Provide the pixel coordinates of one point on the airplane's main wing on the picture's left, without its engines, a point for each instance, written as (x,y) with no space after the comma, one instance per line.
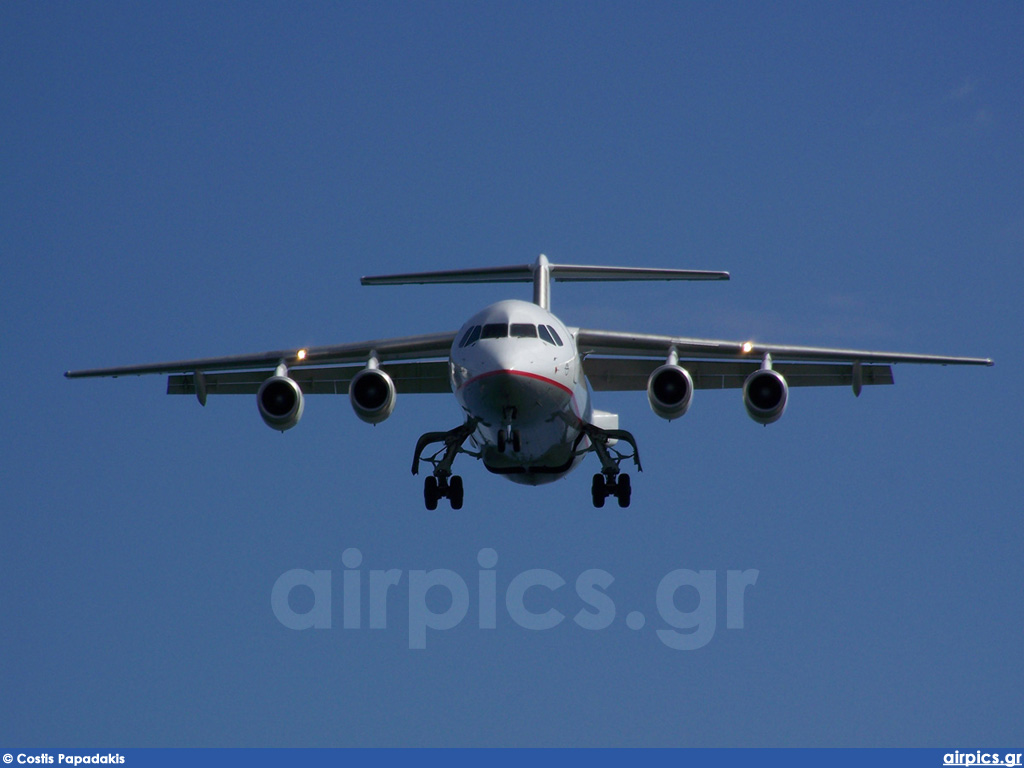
(317,370)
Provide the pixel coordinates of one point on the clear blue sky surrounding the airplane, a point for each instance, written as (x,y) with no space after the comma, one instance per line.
(190,180)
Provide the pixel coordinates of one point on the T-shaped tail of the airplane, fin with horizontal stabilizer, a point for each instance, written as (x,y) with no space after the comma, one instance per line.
(541,273)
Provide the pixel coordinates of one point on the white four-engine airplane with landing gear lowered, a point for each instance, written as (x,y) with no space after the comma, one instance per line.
(525,380)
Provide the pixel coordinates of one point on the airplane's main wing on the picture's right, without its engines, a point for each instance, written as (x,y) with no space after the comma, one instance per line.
(719,365)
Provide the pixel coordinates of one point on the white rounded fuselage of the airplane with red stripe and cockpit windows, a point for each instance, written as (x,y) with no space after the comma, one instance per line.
(516,368)
